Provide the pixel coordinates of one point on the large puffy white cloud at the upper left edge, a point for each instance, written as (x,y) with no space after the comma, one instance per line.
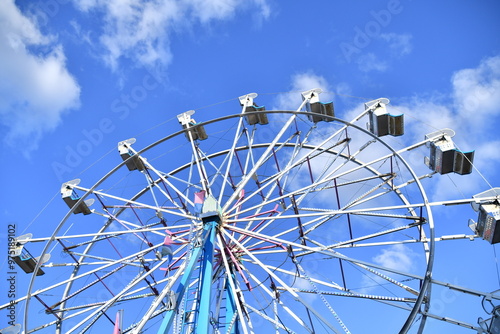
(36,89)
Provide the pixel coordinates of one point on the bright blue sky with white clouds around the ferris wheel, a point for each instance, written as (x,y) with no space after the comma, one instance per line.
(77,77)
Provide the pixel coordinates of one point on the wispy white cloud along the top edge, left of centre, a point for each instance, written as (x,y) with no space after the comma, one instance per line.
(141,31)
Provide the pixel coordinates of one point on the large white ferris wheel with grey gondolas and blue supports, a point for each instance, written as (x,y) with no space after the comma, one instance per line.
(259,221)
